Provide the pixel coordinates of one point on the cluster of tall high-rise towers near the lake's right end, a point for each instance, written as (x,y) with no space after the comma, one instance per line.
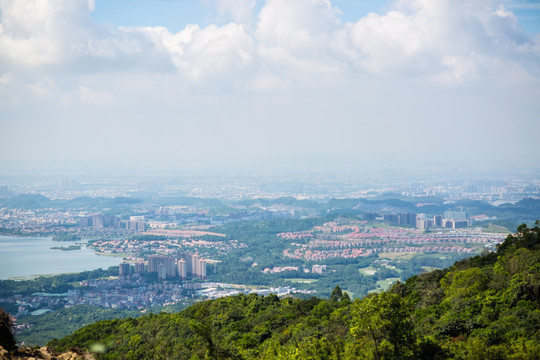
(168,267)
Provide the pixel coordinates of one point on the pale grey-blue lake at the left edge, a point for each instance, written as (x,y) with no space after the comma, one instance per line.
(30,256)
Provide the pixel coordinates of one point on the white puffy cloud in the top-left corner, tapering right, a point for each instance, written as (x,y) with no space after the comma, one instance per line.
(37,33)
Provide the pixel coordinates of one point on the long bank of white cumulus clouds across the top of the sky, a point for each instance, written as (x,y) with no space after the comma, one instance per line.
(415,37)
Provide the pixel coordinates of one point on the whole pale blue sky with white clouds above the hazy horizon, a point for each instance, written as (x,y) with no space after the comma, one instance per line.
(298,83)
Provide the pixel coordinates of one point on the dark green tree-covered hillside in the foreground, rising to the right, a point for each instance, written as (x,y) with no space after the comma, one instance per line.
(486,307)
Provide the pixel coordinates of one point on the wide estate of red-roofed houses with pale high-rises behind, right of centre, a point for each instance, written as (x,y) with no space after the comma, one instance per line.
(351,240)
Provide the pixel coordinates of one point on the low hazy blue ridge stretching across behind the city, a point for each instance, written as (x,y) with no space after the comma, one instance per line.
(521,211)
